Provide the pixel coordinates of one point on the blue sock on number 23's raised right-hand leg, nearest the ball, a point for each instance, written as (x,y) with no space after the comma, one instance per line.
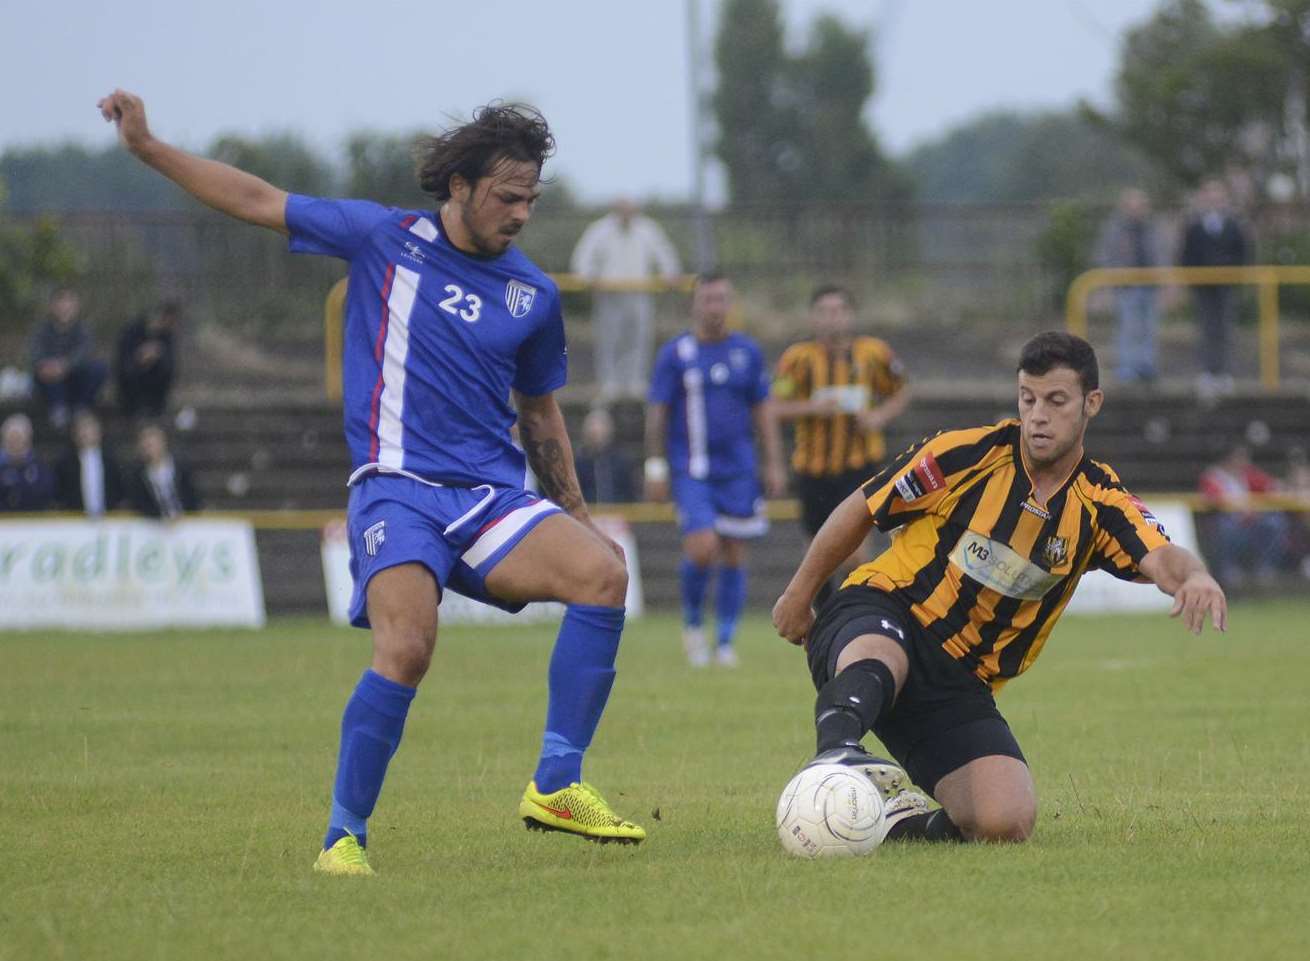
(582,672)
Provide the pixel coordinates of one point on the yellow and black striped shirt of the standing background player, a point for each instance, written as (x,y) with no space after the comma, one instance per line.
(861,376)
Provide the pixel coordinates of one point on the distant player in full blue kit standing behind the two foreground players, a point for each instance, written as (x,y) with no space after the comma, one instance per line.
(709,397)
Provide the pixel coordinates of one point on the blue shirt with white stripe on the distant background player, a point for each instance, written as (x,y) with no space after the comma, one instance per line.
(711,391)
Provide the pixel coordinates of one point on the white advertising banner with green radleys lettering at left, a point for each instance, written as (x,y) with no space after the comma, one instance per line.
(116,575)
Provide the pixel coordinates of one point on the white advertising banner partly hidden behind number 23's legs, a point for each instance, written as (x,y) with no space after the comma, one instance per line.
(458,609)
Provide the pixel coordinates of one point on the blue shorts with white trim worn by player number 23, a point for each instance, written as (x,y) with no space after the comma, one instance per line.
(458,534)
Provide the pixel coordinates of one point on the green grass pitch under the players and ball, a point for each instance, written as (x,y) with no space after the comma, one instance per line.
(163,797)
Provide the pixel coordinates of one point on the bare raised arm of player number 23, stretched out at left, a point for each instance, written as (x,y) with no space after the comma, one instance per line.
(221,187)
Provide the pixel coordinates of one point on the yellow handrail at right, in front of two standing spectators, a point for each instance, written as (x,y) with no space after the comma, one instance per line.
(1267,278)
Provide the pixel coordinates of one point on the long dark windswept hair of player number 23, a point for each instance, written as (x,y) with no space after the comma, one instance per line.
(497,133)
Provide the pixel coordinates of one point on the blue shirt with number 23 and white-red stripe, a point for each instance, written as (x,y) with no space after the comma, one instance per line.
(436,340)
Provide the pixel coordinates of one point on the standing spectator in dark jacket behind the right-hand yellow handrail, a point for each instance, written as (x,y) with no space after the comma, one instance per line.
(1215,239)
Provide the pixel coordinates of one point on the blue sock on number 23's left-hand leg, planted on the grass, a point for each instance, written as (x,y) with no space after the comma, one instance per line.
(371,731)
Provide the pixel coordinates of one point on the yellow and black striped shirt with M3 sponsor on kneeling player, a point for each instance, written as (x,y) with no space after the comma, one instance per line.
(984,568)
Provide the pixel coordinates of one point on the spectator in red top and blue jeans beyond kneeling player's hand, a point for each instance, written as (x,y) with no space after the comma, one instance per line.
(1245,539)
